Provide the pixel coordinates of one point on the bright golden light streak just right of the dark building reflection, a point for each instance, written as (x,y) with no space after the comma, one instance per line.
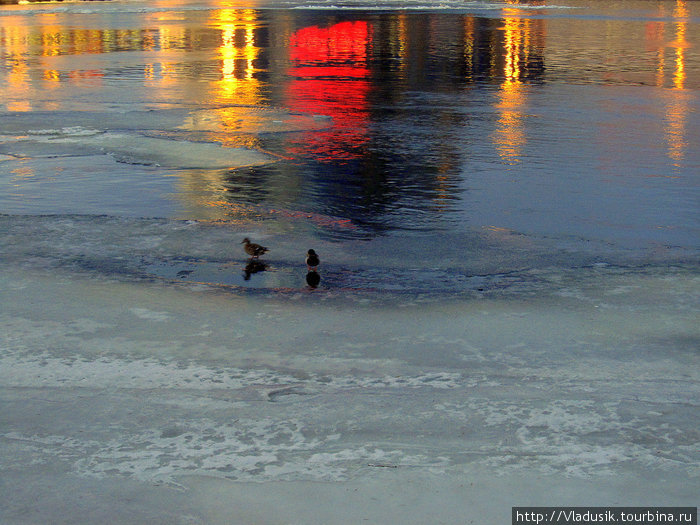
(510,136)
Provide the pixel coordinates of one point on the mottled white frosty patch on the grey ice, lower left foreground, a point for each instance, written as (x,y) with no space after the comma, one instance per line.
(248,449)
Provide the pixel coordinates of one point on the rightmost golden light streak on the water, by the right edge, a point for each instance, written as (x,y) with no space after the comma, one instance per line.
(677,109)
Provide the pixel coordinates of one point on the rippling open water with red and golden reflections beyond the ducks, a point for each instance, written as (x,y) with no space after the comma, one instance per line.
(458,127)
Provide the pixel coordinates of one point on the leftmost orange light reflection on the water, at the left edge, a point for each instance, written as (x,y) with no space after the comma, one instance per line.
(15,39)
